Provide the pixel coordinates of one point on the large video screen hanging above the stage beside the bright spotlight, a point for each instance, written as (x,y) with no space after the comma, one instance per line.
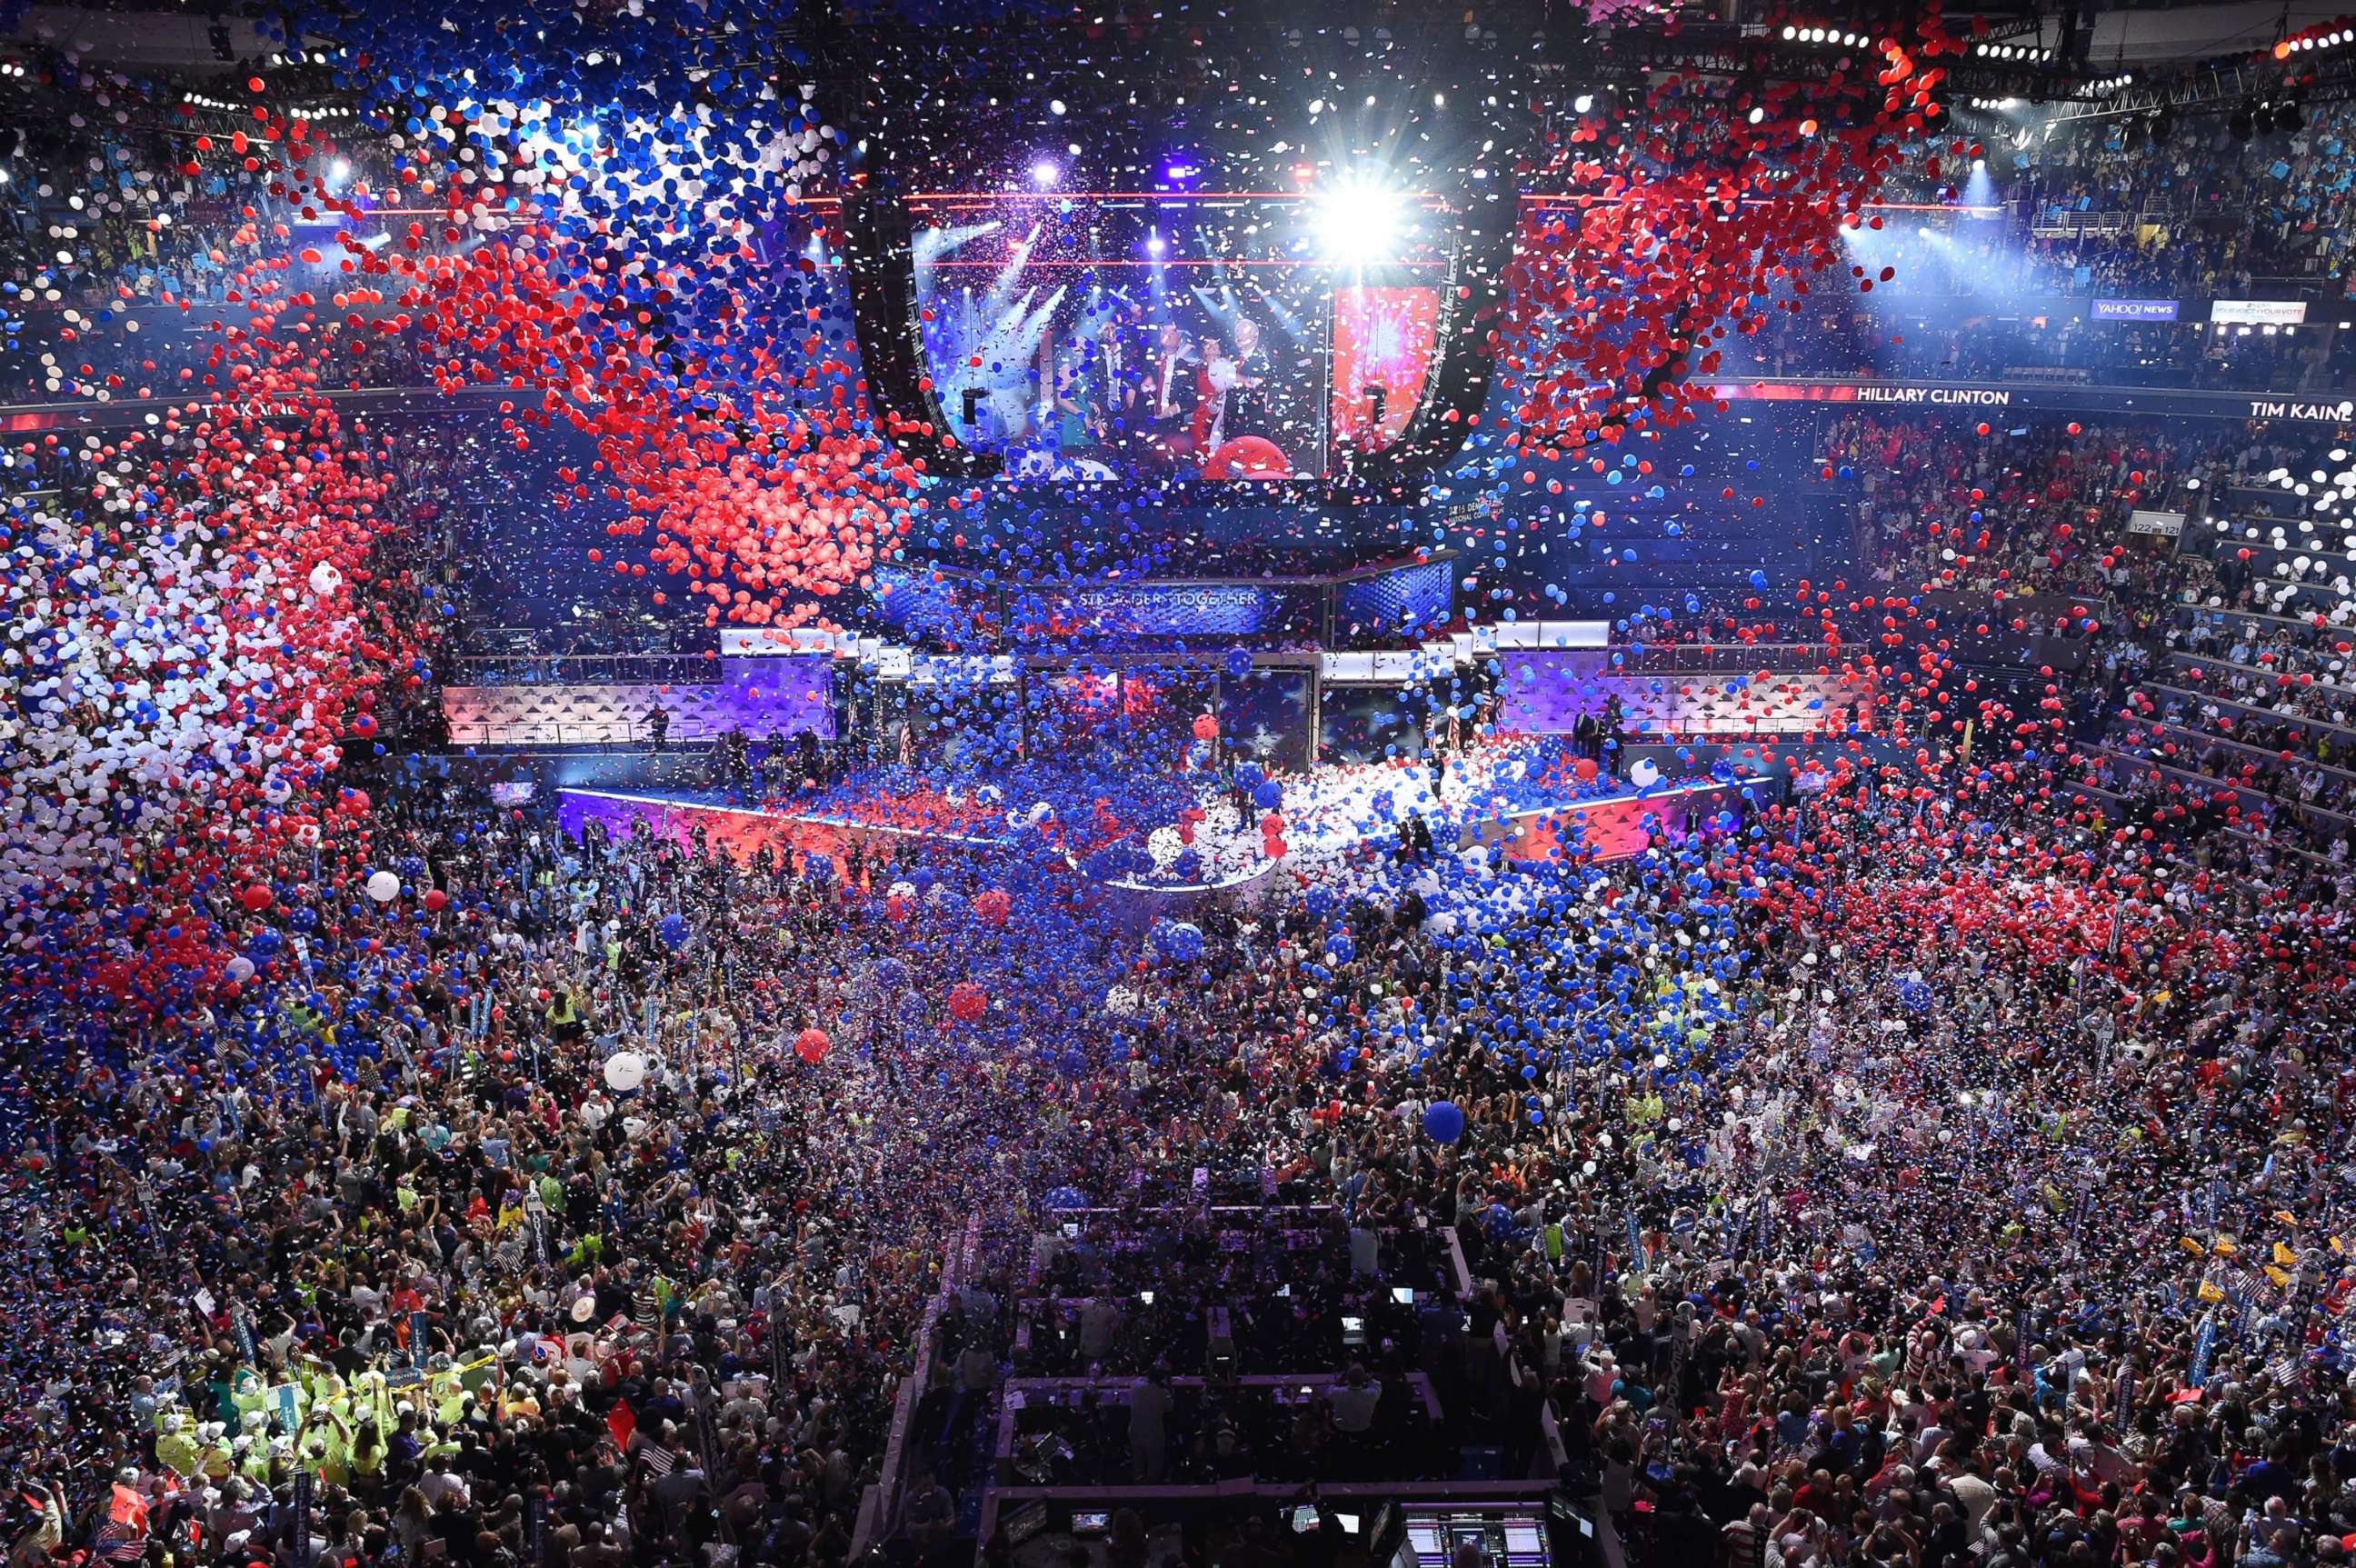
(1099,338)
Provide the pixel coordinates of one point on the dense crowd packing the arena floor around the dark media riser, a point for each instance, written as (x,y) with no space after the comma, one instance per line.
(1943,1190)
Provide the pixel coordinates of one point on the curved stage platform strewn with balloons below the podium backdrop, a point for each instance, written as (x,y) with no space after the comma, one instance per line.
(1328,813)
